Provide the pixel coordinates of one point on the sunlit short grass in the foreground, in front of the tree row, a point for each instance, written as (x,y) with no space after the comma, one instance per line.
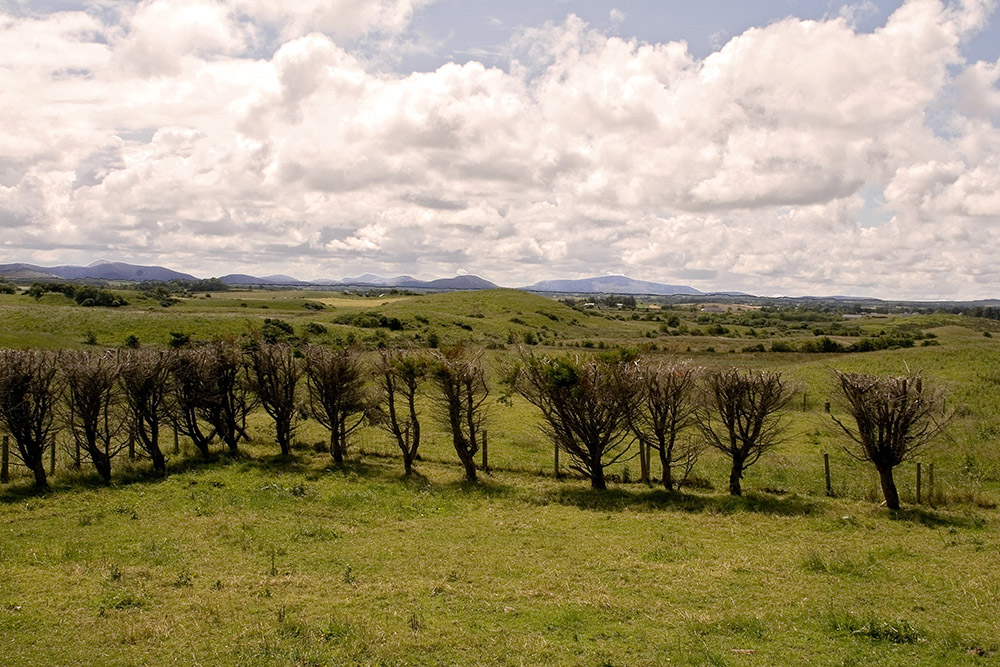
(255,561)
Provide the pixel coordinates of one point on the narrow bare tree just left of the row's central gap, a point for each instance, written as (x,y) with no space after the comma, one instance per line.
(460,378)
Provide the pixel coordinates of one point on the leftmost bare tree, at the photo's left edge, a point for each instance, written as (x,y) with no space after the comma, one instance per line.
(29,394)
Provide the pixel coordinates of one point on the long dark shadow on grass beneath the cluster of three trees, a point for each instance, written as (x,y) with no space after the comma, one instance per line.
(616,500)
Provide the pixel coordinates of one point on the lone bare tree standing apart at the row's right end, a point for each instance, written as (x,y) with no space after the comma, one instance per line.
(894,417)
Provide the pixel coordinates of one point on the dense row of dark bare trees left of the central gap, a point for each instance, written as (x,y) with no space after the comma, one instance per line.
(125,398)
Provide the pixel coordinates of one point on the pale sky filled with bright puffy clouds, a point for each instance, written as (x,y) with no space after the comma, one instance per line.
(772,147)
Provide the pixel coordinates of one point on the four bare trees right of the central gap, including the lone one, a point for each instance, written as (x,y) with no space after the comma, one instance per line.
(593,408)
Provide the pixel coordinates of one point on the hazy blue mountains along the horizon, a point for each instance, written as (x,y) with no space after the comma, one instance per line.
(105,270)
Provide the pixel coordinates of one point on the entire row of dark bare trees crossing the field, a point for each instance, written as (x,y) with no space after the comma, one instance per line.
(593,408)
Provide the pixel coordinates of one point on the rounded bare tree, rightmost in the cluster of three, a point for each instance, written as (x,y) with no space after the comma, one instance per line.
(741,417)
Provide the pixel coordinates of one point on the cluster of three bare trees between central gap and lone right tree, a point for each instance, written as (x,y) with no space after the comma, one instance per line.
(595,408)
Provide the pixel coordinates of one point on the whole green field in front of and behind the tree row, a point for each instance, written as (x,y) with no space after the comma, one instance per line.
(258,560)
